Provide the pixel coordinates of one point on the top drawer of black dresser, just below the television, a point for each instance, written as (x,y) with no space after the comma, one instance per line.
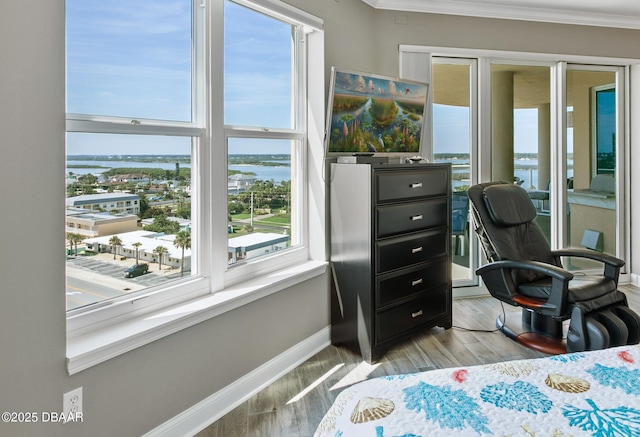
(408,184)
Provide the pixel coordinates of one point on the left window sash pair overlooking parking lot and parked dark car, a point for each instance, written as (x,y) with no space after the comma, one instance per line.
(131,138)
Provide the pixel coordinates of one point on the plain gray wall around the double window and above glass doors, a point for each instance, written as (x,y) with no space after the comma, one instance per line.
(137,391)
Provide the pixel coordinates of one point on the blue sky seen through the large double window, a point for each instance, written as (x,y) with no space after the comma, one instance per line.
(132,58)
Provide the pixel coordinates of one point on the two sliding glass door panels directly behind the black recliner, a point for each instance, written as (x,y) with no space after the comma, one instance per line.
(578,200)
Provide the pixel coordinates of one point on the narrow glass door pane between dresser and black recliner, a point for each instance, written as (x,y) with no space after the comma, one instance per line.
(453,136)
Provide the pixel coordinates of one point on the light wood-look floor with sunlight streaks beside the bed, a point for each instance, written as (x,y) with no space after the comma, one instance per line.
(295,404)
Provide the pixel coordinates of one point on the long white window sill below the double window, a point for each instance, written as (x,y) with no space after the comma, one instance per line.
(101,345)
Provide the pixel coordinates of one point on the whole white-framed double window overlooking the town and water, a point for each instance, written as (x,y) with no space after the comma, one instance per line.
(144,147)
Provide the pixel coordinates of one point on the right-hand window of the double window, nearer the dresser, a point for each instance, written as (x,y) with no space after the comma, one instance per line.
(264,132)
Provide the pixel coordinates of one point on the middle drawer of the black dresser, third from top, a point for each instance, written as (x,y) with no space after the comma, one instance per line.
(405,251)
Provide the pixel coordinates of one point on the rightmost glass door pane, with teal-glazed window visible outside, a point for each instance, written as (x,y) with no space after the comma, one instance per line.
(592,143)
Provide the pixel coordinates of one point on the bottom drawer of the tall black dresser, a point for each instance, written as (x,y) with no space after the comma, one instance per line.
(411,314)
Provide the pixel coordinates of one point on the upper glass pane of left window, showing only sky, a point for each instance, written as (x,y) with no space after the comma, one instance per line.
(129,58)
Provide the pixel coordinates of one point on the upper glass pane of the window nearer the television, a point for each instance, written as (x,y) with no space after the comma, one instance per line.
(258,59)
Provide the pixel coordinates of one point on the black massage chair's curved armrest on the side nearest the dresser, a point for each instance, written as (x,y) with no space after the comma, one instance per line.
(501,286)
